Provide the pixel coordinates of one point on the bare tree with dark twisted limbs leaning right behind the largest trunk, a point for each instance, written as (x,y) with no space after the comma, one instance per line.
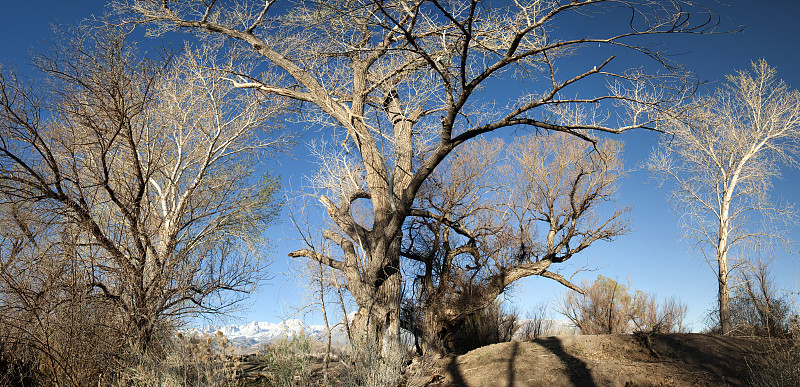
(482,222)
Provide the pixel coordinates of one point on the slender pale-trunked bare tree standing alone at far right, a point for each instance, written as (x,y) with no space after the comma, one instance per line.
(722,163)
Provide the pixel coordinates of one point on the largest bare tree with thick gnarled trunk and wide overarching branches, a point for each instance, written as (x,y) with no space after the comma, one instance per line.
(403,83)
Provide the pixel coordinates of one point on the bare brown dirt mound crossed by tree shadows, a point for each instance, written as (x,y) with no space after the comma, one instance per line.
(604,360)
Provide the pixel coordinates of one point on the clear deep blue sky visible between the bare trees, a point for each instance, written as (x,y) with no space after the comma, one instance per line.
(651,258)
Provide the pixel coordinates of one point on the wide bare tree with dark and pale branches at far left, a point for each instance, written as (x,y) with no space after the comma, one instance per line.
(150,164)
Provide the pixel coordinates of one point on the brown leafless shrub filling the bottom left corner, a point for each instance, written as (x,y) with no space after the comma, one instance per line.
(61,343)
